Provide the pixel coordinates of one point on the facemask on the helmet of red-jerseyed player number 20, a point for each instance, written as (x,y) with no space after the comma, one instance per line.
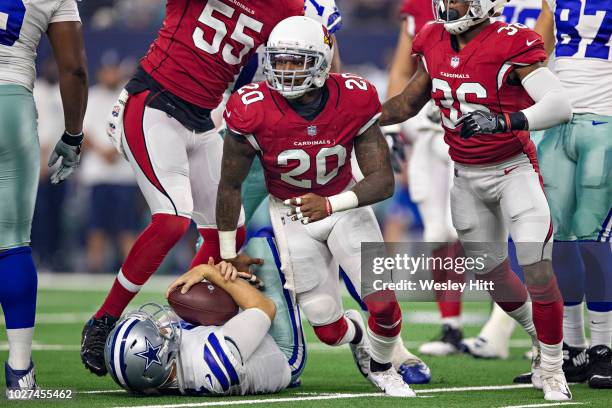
(293,72)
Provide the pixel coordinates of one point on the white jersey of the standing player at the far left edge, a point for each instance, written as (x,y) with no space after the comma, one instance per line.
(22,23)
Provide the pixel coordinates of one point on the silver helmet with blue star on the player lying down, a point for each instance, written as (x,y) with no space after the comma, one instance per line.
(141,351)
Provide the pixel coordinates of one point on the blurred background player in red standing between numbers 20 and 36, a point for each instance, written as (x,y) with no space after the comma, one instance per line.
(429,178)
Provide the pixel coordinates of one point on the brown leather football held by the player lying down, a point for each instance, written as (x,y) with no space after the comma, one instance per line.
(204,304)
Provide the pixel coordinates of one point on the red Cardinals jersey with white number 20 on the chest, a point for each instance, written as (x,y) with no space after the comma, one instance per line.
(301,156)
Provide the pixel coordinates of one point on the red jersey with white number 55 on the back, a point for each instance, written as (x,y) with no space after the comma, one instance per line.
(203,44)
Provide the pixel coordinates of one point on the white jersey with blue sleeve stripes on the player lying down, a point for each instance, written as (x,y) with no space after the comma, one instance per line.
(208,365)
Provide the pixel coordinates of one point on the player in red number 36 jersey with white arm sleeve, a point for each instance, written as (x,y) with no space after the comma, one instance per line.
(491,85)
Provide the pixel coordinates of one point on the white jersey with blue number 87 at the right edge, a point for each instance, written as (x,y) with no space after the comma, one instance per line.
(583,53)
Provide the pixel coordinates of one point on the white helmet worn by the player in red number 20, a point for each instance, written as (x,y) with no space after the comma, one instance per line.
(300,41)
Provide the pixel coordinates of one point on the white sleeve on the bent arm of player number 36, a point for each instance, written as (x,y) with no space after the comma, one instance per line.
(552,104)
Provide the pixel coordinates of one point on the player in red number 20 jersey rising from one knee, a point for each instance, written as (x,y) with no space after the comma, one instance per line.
(303,123)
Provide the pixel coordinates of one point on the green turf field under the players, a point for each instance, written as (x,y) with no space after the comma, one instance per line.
(330,378)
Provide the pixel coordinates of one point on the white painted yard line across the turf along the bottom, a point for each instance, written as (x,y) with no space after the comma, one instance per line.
(317,397)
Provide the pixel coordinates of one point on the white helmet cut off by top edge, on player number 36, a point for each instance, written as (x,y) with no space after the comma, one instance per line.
(479,11)
